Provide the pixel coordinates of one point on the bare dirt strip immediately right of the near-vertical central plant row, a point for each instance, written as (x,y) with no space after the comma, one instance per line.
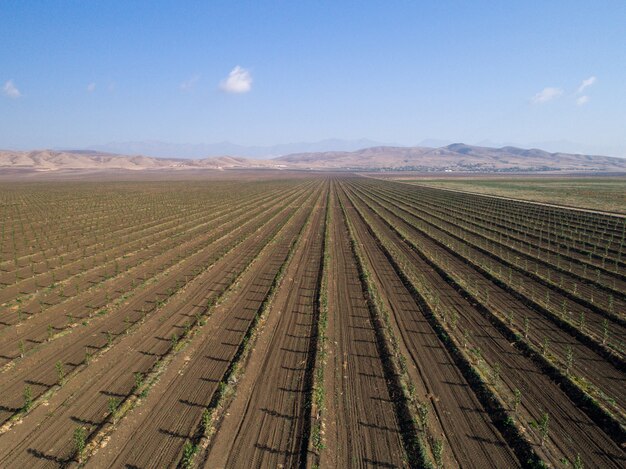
(361,425)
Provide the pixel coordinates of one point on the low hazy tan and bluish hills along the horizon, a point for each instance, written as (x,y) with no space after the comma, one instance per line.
(455,157)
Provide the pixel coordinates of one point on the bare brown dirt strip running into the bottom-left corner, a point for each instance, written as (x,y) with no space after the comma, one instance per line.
(87,402)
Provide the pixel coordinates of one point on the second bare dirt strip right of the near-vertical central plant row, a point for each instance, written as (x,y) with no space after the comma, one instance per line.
(472,440)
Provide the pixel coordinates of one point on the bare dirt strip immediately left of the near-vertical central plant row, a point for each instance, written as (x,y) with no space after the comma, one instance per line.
(265,426)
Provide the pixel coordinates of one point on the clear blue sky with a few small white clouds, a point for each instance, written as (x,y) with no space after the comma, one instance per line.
(80,73)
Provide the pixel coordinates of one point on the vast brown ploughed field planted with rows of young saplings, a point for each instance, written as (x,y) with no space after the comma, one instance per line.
(302,319)
